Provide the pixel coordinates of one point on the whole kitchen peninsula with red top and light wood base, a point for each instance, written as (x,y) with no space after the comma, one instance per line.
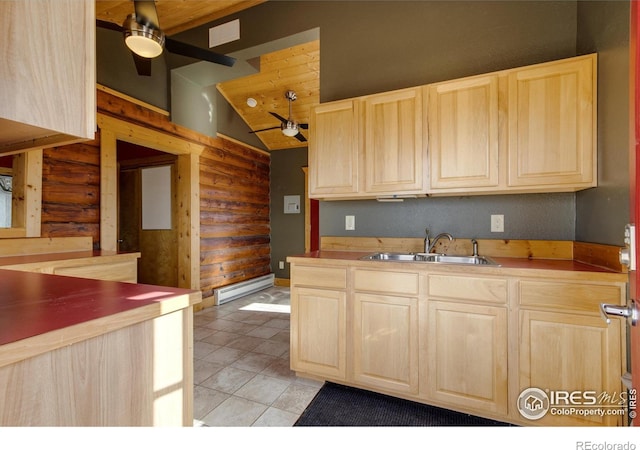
(86,352)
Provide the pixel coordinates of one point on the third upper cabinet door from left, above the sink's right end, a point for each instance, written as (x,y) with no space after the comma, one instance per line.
(463,120)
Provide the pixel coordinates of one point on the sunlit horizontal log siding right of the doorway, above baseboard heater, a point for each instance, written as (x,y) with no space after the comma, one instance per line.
(234,215)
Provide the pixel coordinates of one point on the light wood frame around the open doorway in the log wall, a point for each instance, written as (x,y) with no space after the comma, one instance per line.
(188,189)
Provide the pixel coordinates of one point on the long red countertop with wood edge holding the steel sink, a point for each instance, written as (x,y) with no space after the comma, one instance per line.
(508,266)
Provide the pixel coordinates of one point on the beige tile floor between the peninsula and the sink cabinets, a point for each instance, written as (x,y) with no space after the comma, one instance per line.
(241,364)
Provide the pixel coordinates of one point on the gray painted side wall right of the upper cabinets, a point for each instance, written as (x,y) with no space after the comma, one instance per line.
(601,213)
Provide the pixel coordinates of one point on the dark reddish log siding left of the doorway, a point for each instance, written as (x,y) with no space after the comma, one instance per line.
(71,191)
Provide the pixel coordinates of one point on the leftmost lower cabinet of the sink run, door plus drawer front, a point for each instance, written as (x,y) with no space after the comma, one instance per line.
(318,321)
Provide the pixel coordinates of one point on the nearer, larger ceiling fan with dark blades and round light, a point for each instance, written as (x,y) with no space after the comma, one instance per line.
(145,39)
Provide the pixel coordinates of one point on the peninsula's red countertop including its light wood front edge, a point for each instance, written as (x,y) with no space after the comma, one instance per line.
(34,305)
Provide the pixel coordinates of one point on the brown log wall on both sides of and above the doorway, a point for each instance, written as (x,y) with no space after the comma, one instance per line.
(234,196)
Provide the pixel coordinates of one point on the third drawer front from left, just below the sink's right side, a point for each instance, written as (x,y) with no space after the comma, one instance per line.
(493,290)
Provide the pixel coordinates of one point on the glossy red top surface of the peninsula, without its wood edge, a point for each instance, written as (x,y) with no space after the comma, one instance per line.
(33,304)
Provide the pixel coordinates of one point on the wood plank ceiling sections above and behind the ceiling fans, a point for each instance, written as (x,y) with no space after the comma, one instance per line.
(296,68)
